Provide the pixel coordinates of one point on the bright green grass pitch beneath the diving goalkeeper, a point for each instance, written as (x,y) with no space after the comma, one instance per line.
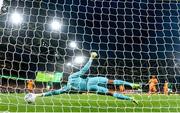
(90,103)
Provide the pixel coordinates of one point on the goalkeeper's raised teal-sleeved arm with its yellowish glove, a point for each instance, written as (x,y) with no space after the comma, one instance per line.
(85,68)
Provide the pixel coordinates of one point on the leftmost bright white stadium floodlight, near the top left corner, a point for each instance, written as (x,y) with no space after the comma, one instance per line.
(16,18)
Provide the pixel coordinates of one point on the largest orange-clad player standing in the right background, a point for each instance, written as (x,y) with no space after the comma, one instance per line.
(152,85)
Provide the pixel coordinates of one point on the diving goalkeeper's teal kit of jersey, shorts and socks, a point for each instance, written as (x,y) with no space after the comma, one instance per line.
(77,82)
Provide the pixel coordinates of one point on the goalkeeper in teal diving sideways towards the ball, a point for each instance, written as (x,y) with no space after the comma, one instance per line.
(76,82)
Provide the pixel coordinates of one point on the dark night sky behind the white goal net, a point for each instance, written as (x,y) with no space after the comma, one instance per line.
(125,33)
